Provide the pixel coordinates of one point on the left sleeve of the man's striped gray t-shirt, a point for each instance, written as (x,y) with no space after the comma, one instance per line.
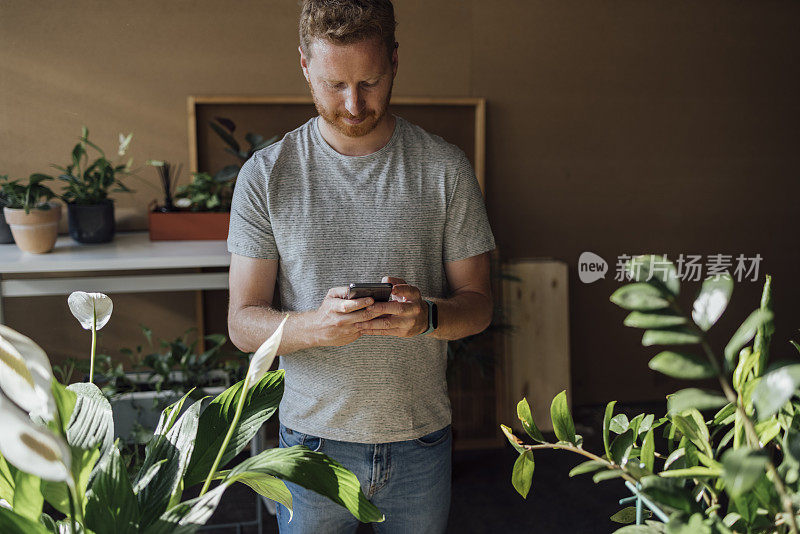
(250,231)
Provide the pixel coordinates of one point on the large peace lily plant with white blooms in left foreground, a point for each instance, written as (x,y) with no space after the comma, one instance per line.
(58,448)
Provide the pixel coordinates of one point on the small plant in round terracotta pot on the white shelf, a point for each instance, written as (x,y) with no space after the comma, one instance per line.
(30,214)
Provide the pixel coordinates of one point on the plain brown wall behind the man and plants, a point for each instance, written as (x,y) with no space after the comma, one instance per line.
(613,127)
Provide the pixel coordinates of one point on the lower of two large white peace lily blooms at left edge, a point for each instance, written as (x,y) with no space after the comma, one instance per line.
(32,448)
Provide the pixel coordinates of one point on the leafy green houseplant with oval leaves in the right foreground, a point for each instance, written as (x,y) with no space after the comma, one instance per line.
(731,458)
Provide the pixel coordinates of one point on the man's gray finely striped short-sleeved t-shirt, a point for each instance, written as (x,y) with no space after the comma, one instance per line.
(331,220)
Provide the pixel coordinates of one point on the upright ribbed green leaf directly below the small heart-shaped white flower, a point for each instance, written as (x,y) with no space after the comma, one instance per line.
(92,422)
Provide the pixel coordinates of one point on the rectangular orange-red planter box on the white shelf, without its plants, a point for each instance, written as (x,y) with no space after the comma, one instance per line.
(188,226)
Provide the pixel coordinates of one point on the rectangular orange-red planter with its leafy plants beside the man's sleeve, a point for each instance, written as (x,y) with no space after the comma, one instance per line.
(201,209)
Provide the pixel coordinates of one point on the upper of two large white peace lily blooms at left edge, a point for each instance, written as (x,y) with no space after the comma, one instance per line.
(25,373)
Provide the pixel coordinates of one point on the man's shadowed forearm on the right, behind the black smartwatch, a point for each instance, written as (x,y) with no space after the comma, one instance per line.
(462,315)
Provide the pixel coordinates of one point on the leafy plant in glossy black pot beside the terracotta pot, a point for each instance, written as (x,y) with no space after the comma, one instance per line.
(89,209)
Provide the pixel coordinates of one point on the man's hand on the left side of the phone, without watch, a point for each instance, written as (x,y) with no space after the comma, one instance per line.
(334,321)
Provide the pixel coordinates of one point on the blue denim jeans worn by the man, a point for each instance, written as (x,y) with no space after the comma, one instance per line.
(409,482)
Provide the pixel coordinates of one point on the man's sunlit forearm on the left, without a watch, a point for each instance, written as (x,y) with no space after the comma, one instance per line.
(250,326)
